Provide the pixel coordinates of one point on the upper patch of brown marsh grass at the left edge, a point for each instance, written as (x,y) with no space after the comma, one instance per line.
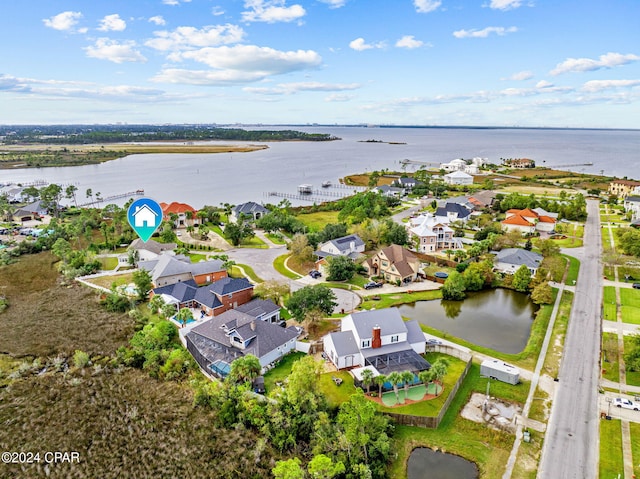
(46,317)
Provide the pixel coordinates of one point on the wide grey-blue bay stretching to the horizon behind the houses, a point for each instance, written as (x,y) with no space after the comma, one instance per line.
(239,177)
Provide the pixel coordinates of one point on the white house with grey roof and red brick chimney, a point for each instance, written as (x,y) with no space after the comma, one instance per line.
(377,338)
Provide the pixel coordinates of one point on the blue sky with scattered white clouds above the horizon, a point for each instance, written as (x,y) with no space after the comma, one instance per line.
(560,63)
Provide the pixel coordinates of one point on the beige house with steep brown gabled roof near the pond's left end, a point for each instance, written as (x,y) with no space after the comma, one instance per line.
(394,263)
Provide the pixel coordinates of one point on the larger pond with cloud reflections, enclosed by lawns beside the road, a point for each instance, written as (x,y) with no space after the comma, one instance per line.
(499,319)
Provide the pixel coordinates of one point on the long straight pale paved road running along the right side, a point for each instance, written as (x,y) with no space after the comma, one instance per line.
(572,442)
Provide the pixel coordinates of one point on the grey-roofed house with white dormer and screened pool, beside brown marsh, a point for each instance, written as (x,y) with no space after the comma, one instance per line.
(217,342)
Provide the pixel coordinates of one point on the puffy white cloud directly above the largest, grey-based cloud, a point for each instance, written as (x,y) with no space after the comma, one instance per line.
(188,37)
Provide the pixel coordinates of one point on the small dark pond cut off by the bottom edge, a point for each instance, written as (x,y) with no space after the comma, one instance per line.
(425,463)
